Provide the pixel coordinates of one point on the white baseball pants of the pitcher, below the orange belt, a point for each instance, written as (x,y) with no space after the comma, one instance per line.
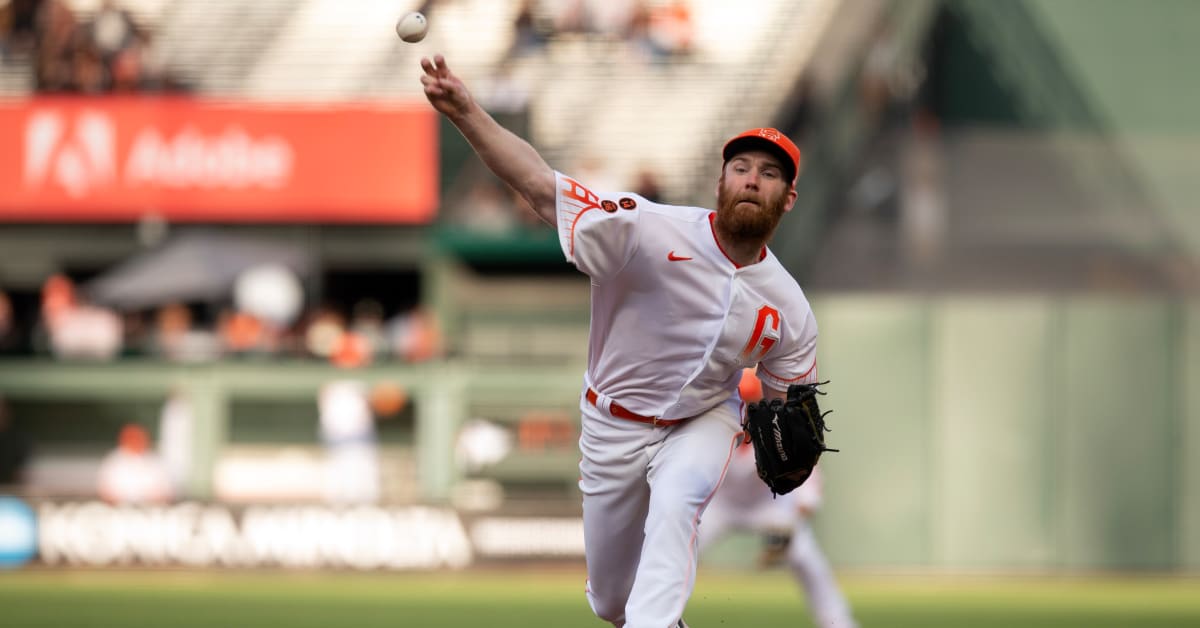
(645,489)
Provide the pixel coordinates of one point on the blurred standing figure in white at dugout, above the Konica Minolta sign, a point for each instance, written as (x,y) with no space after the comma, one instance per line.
(347,428)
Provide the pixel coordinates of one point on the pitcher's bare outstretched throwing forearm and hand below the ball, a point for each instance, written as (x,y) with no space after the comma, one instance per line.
(511,158)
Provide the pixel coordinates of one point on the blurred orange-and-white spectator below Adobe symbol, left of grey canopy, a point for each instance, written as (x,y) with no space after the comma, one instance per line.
(77,330)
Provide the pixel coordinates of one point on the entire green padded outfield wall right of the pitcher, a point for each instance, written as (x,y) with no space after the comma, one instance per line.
(1013,433)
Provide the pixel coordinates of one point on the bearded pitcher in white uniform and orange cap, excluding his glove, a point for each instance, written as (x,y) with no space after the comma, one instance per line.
(682,301)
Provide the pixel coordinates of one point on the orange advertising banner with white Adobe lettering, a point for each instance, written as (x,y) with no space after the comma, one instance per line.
(199,162)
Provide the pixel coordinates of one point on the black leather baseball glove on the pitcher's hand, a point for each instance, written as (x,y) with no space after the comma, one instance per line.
(788,436)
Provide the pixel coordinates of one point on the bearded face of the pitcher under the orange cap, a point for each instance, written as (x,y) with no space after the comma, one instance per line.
(753,195)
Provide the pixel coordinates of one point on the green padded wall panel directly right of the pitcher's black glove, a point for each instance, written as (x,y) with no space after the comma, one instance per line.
(875,352)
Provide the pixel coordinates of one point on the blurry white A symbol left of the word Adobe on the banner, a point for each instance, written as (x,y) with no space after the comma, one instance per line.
(77,157)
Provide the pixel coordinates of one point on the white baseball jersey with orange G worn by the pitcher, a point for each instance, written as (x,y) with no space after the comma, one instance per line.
(674,319)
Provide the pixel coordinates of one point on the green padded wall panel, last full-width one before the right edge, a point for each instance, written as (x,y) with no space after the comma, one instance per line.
(1118,444)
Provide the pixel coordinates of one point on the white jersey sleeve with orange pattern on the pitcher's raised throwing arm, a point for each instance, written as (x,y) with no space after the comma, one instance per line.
(597,235)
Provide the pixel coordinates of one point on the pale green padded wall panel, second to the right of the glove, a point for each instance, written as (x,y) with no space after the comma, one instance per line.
(994,434)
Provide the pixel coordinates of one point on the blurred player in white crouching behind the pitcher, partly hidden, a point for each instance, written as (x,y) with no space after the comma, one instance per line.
(745,504)
